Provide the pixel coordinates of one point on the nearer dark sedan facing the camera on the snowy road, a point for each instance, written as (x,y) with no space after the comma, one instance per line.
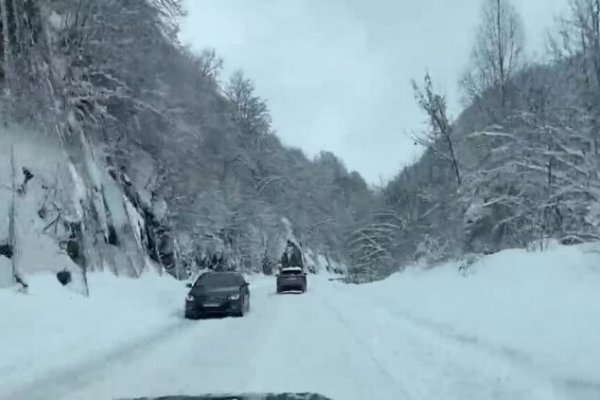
(218,293)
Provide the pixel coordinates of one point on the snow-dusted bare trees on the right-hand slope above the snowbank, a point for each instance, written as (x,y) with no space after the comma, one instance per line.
(519,166)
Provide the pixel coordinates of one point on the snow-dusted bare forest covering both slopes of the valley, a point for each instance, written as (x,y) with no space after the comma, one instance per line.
(111,83)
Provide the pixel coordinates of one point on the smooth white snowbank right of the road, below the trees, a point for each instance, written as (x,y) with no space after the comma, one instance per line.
(539,310)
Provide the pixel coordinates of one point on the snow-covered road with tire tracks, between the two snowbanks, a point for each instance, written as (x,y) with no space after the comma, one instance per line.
(328,341)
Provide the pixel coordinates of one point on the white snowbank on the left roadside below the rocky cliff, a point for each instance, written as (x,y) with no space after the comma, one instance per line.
(52,327)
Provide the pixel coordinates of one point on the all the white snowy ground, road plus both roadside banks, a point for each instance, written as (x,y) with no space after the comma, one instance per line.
(514,325)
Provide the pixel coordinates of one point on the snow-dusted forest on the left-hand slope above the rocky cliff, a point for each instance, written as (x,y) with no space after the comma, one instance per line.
(111,83)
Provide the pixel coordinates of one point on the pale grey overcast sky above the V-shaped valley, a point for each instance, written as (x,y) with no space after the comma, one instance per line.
(336,73)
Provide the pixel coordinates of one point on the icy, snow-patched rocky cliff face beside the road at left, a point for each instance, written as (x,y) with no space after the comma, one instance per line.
(46,228)
